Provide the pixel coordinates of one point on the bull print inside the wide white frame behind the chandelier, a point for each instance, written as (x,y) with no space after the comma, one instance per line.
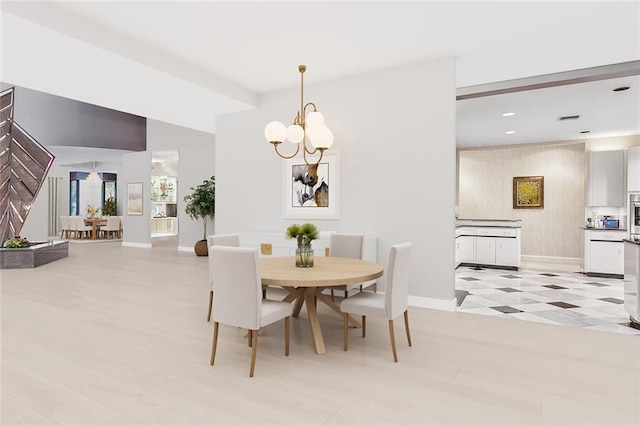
(310,185)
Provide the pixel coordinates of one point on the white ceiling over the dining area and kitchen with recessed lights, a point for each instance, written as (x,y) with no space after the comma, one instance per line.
(243,49)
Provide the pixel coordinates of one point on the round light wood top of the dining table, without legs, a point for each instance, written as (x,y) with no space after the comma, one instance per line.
(326,272)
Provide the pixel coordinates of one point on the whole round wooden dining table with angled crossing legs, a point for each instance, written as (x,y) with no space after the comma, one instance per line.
(305,285)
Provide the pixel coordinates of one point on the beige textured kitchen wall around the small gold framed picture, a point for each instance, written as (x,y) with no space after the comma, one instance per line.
(485,192)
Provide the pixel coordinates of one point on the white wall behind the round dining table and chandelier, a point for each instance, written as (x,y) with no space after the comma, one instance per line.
(395,133)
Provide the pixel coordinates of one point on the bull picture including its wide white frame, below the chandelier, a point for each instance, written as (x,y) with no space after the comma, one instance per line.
(311,191)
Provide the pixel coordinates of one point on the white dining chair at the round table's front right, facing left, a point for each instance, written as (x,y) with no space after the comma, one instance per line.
(390,305)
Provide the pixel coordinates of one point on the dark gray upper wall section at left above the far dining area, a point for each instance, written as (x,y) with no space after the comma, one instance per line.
(55,120)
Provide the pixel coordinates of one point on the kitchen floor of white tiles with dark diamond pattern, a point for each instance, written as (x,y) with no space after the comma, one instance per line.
(559,297)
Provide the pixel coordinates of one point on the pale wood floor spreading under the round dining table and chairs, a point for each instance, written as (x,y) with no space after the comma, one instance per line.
(118,336)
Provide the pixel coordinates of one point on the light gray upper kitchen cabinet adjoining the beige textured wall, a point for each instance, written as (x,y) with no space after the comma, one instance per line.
(606,179)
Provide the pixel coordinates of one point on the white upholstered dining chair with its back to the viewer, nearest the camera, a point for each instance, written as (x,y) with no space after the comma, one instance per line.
(239,302)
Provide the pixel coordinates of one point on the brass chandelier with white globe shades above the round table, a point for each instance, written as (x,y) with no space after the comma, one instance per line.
(307,131)
